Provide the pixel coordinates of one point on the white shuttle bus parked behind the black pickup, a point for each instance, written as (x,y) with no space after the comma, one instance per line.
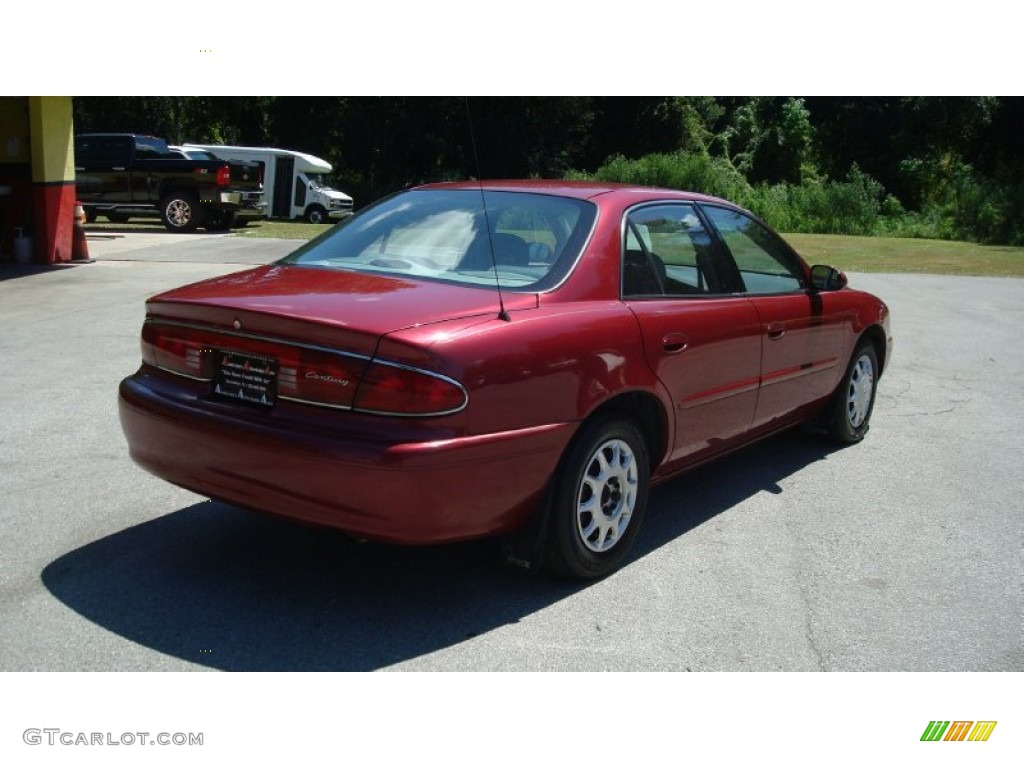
(294,183)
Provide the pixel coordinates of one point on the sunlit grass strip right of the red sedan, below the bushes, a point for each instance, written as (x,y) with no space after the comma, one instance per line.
(909,255)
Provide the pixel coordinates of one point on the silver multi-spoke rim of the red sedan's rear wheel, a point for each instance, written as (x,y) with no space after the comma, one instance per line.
(608,496)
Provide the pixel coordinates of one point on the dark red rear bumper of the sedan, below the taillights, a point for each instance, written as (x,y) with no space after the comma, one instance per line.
(369,486)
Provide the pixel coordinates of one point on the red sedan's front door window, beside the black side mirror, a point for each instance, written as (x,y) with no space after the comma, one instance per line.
(765,266)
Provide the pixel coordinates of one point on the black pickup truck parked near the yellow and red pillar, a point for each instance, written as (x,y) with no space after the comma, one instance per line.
(124,175)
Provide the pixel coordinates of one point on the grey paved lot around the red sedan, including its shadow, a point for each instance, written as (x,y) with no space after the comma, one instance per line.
(902,553)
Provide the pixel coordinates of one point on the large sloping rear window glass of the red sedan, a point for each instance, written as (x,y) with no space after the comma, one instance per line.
(531,243)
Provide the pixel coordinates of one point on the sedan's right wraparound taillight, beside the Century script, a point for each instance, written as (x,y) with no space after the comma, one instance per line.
(394,390)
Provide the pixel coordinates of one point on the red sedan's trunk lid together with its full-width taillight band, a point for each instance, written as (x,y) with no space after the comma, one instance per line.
(311,335)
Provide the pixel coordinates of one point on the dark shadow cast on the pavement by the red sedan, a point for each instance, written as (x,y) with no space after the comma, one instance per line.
(234,590)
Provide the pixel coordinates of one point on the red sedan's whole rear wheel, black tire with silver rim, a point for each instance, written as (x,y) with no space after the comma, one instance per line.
(607,466)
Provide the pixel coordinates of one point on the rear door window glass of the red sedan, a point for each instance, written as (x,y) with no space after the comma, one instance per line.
(668,253)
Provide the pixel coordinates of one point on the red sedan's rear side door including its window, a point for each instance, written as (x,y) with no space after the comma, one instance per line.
(704,345)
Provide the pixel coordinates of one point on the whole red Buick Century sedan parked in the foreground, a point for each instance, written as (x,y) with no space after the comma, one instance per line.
(517,359)
